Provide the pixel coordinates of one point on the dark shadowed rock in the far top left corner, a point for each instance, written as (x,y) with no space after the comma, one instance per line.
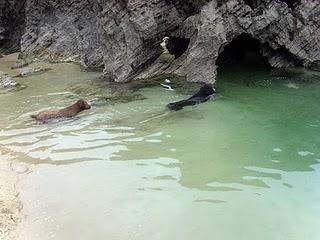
(12,19)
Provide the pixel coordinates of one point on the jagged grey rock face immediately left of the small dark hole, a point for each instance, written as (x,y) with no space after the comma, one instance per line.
(132,31)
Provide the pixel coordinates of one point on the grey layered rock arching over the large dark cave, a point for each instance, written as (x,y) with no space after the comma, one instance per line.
(288,37)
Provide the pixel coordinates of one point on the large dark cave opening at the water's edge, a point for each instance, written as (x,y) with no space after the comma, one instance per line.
(243,50)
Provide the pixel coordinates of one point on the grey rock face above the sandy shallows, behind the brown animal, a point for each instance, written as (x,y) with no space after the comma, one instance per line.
(62,31)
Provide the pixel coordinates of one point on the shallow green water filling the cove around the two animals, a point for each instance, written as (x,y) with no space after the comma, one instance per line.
(245,166)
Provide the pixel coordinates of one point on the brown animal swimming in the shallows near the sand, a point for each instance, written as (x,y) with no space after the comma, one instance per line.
(67,112)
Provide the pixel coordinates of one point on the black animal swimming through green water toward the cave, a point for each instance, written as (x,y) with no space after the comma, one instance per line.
(203,95)
